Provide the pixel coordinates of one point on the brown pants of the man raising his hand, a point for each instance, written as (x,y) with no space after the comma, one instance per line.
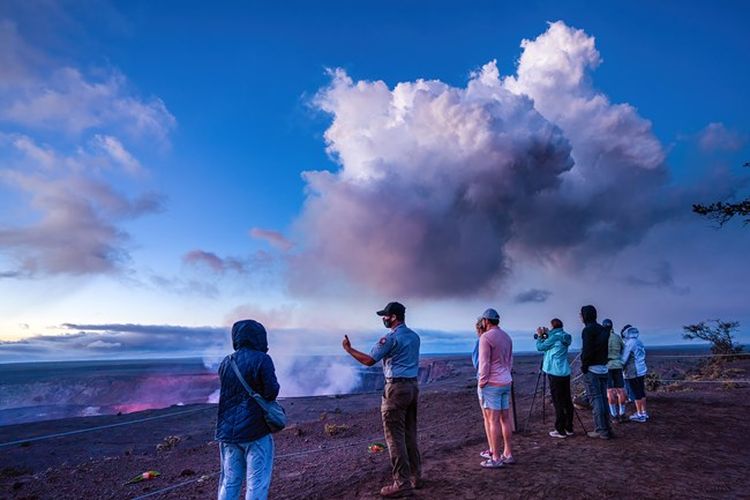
(399,411)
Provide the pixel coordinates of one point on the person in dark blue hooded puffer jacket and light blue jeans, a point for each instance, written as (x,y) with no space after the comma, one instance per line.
(244,438)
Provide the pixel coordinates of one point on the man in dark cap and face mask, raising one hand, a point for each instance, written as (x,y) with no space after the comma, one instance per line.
(399,351)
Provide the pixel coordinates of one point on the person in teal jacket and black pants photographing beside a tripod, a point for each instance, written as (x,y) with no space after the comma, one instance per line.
(557,367)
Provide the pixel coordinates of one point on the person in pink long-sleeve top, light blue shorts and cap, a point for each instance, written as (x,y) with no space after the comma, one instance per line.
(495,364)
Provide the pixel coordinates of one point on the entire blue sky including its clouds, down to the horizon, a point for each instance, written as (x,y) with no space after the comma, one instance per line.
(152,159)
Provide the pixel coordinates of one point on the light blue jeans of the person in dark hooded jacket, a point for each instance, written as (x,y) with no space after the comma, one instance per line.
(254,459)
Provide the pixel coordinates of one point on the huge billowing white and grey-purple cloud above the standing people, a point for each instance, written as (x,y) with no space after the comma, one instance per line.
(441,188)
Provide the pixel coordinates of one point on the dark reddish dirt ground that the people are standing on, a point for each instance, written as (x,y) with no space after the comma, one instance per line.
(694,446)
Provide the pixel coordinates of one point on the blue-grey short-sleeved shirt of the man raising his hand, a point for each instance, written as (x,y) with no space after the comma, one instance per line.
(399,351)
